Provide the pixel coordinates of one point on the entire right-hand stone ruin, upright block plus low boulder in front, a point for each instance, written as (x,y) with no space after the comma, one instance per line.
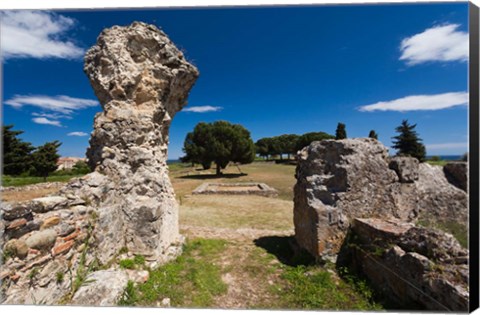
(357,206)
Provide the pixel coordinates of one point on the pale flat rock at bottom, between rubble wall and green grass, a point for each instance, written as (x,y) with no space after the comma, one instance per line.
(102,288)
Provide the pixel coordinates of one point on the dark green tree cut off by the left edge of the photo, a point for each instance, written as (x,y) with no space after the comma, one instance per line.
(17,157)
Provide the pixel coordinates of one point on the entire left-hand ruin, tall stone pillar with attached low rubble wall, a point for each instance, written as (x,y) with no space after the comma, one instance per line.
(126,206)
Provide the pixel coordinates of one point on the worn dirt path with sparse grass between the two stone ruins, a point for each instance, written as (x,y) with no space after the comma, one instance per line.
(252,274)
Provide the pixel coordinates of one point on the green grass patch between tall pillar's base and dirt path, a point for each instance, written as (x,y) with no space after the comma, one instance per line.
(192,280)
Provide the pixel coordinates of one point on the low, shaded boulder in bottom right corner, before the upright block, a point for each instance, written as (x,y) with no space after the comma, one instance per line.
(409,265)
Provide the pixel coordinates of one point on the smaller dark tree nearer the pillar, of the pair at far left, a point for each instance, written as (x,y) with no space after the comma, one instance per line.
(45,159)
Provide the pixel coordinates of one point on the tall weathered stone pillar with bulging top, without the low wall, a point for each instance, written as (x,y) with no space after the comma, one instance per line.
(141,80)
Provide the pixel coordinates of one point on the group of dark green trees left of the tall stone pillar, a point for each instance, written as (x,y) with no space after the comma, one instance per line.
(22,158)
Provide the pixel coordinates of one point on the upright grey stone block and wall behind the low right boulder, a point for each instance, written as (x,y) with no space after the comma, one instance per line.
(339,180)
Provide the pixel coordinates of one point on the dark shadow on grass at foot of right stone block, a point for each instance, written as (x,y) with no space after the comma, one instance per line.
(286,250)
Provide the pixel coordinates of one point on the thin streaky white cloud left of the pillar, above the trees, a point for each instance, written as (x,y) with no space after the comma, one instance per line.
(60,103)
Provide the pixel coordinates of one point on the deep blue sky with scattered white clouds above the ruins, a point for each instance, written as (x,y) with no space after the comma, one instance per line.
(275,70)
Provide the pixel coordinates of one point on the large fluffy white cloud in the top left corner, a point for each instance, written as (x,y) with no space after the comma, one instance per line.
(36,34)
